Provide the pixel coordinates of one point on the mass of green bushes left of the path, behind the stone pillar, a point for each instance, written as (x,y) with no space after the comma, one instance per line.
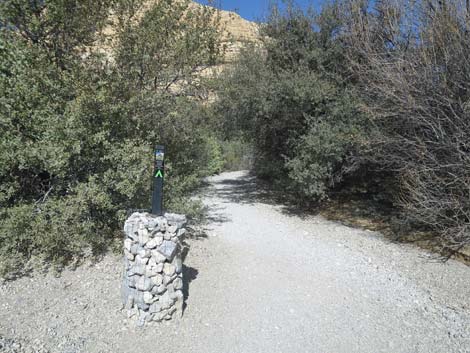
(77,129)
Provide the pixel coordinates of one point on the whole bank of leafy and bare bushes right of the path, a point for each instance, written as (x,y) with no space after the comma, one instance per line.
(376,89)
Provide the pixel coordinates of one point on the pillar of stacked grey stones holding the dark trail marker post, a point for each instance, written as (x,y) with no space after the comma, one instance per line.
(153,278)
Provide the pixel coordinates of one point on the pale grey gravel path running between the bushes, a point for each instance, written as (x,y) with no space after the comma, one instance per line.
(263,280)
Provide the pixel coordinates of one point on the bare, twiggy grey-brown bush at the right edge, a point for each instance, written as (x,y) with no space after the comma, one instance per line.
(411,61)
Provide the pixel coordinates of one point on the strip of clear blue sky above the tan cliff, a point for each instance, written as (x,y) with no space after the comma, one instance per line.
(254,10)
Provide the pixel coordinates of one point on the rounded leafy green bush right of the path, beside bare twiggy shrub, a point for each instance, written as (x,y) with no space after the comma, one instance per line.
(288,98)
